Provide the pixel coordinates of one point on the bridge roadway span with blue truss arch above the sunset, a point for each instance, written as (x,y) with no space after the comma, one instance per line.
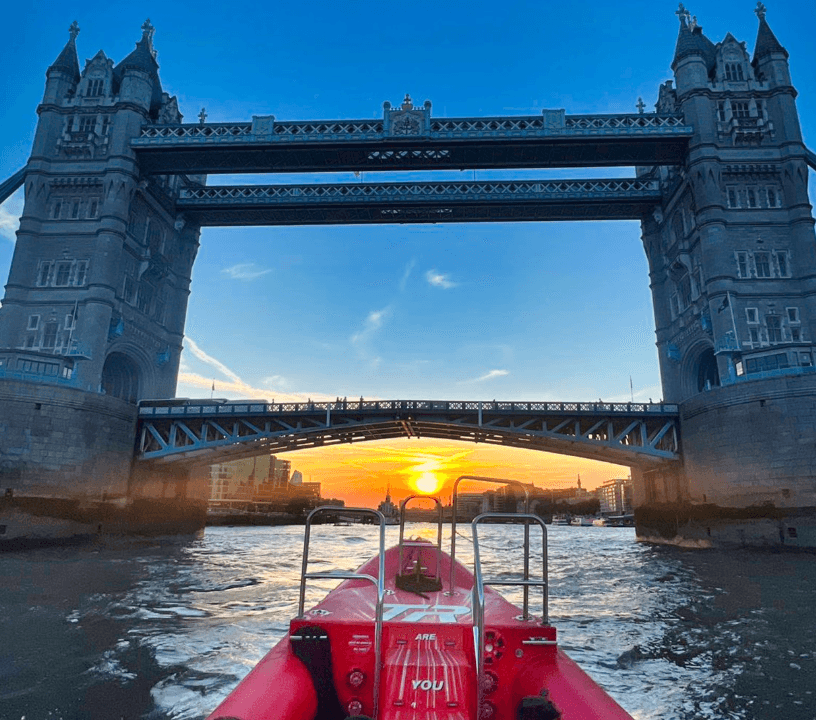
(196,432)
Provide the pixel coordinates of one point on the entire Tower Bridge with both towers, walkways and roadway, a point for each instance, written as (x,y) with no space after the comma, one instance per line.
(116,195)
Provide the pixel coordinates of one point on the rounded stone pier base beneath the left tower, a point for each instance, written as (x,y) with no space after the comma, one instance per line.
(67,471)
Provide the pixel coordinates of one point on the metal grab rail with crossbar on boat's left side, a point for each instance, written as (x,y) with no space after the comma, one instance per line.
(379,583)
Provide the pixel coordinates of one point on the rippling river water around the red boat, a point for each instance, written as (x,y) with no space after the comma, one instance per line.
(165,628)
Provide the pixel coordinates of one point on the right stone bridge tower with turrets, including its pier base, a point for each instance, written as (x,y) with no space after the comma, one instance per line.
(732,260)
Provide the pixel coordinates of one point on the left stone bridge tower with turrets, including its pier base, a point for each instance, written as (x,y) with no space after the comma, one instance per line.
(94,311)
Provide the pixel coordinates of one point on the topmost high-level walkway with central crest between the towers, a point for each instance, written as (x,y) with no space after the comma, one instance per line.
(410,139)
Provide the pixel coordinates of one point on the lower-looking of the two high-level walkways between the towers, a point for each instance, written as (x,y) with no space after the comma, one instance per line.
(625,198)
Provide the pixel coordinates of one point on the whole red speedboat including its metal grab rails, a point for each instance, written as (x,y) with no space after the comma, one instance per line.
(414,635)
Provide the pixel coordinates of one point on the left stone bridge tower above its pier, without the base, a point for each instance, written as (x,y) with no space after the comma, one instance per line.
(98,287)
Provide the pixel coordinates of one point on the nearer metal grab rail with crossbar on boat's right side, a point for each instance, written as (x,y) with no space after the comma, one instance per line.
(479,582)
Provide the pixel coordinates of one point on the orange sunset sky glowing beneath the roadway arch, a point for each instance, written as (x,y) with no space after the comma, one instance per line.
(359,474)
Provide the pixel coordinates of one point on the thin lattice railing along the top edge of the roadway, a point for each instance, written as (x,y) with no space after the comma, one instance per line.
(175,408)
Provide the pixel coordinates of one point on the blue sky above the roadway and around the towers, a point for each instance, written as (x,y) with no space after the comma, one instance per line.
(522,311)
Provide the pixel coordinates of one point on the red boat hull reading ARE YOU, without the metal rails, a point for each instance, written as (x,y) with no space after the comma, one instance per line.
(428,667)
